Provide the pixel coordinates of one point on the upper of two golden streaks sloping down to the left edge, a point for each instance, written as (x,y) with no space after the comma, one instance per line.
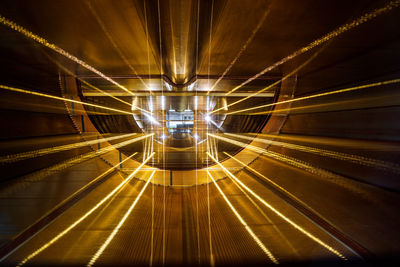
(51,150)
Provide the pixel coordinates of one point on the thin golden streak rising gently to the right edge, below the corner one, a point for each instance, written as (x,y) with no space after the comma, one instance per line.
(350,89)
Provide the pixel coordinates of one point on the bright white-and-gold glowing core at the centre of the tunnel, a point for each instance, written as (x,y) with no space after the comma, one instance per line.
(178,121)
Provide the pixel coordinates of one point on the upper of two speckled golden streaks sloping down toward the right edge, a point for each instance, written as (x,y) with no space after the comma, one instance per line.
(328,153)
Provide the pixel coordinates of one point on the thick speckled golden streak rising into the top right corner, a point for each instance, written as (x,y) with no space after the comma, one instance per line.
(344,28)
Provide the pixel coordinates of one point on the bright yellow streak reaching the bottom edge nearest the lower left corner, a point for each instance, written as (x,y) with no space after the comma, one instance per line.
(87,214)
